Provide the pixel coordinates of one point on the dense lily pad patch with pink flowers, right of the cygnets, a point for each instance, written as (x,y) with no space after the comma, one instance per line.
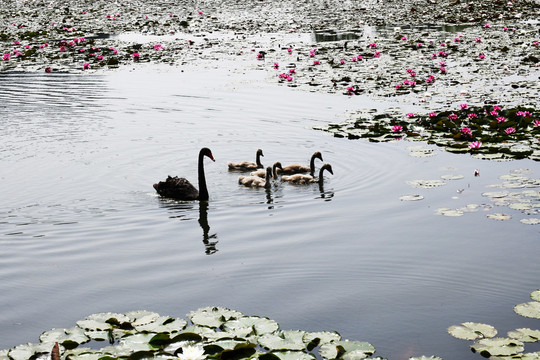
(487,132)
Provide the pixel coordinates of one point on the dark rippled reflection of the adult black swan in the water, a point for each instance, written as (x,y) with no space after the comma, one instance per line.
(183,211)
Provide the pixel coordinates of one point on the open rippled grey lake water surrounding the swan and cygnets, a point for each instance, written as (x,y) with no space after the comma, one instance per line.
(82,230)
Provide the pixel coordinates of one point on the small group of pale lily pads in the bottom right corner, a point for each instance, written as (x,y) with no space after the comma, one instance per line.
(503,348)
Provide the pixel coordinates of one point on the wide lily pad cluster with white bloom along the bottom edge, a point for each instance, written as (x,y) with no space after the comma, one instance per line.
(211,333)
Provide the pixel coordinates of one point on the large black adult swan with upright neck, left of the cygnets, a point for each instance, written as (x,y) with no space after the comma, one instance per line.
(181,188)
